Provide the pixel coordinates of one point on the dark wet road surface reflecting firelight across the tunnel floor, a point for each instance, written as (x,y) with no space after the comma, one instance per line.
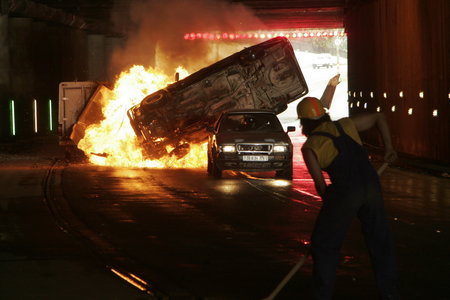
(83,231)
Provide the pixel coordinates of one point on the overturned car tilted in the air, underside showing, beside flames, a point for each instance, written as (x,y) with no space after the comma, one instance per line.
(264,76)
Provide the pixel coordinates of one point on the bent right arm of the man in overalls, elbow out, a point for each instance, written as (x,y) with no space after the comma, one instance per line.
(368,120)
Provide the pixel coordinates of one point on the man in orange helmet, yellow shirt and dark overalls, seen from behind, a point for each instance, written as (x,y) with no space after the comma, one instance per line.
(355,190)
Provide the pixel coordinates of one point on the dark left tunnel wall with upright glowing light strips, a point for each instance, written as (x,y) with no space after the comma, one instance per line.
(35,57)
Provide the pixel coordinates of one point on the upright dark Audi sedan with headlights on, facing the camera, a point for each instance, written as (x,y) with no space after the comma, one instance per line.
(250,140)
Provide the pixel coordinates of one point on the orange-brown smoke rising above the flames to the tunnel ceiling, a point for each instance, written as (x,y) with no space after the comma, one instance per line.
(157,28)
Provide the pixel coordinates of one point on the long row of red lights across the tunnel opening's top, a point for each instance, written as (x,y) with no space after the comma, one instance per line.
(263,35)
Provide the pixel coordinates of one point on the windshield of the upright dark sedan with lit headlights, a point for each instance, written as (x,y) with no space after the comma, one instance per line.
(250,122)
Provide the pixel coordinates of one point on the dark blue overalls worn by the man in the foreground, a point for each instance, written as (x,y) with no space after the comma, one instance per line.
(354,191)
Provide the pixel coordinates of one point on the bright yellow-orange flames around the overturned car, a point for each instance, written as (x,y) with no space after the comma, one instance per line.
(113,142)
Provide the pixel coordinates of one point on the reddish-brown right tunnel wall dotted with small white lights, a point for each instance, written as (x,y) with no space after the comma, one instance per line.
(398,63)
